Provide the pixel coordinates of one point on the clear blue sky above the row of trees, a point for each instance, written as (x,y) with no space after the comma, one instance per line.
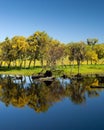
(64,20)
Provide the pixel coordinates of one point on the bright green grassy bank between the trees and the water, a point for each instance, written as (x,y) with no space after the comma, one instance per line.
(84,69)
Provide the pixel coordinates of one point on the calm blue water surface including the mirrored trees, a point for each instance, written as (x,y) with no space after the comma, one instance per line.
(63,104)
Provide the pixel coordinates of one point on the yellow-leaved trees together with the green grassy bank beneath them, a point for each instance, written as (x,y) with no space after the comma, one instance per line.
(40,52)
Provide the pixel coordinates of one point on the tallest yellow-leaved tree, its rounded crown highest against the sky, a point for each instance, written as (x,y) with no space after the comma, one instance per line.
(38,46)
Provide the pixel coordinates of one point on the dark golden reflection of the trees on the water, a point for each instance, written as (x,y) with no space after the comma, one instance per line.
(40,95)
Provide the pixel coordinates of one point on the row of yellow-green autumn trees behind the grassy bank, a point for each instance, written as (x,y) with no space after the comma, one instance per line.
(22,51)
